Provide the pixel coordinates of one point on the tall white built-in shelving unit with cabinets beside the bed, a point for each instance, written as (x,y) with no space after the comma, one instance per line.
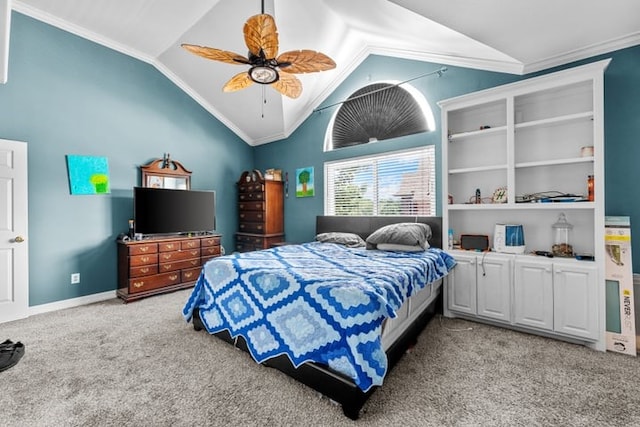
(528,137)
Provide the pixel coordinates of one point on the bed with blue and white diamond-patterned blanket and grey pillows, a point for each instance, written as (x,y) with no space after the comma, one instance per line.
(336,318)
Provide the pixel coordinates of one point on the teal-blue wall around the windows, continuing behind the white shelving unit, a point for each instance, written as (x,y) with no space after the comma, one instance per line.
(305,147)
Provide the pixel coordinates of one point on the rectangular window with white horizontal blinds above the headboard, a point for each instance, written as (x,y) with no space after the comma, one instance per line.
(394,183)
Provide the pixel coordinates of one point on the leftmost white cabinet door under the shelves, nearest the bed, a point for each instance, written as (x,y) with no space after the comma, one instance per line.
(461,285)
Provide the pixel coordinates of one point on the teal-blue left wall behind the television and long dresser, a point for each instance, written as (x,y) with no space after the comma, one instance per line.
(66,95)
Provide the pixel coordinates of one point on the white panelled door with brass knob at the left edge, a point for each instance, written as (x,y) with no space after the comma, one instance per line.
(14,265)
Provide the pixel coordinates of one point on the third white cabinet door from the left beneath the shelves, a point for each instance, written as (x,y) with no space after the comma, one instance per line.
(533,293)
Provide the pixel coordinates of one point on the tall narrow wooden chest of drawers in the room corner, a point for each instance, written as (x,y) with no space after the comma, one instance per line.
(261,212)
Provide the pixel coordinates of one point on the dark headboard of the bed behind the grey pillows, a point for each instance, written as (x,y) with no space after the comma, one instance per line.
(365,225)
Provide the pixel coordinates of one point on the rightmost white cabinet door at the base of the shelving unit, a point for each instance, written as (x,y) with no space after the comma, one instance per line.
(575,299)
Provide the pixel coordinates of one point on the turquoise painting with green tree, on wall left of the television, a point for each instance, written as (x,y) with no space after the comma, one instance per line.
(88,174)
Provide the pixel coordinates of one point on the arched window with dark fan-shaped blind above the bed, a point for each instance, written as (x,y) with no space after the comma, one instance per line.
(377,112)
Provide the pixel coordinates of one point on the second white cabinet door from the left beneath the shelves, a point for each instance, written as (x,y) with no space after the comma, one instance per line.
(494,286)
